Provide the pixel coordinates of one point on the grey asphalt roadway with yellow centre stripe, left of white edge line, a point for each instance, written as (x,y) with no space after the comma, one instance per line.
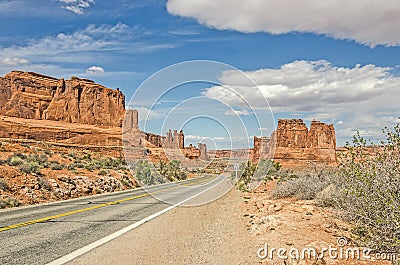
(44,233)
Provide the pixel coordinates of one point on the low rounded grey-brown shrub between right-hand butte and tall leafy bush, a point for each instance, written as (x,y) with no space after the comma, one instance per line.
(305,185)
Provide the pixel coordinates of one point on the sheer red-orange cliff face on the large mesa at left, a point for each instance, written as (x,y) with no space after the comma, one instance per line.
(34,96)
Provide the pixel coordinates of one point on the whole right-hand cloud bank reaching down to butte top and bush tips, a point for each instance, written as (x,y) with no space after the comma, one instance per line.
(359,97)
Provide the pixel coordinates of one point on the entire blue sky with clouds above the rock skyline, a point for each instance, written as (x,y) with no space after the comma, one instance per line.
(223,71)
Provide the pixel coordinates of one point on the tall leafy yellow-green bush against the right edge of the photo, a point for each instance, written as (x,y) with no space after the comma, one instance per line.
(372,190)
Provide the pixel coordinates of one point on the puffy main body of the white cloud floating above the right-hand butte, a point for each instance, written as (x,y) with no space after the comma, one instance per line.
(306,86)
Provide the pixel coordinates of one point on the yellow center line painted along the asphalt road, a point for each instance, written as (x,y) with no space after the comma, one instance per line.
(44,219)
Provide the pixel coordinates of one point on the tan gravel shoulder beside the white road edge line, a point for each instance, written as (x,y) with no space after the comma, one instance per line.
(213,233)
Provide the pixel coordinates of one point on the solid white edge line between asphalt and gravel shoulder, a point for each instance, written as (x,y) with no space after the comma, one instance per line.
(114,235)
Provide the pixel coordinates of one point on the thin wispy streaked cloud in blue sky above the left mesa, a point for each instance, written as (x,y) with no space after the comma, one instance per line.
(91,44)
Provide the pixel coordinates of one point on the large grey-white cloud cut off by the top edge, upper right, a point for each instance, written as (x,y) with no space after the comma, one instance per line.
(370,22)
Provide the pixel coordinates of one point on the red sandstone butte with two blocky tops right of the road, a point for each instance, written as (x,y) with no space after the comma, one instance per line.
(292,144)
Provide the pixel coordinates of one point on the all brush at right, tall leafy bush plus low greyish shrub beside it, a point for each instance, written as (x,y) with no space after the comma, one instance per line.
(364,189)
